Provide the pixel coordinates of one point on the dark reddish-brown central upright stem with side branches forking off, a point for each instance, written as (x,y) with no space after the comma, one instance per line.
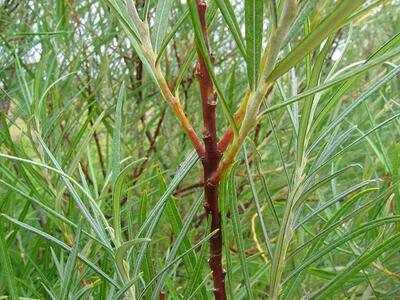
(210,161)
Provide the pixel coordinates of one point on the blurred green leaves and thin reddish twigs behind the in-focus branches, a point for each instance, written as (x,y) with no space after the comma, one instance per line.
(63,65)
